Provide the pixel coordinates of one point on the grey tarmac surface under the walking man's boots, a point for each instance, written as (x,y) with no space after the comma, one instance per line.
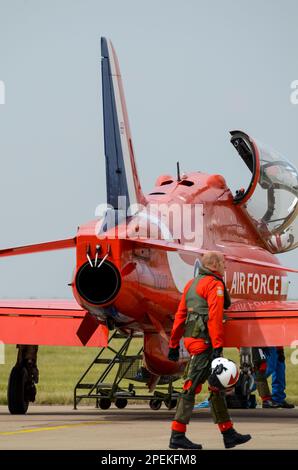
(138,427)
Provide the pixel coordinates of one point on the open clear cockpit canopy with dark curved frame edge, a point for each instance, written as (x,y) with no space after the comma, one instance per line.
(271,198)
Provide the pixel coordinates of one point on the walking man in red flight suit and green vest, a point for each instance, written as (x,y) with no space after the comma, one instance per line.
(199,319)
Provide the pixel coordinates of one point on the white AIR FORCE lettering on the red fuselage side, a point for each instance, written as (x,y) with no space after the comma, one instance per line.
(254,283)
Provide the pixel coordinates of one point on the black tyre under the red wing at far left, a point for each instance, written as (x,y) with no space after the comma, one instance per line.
(17,398)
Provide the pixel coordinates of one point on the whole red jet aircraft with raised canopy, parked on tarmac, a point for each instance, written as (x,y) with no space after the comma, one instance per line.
(134,260)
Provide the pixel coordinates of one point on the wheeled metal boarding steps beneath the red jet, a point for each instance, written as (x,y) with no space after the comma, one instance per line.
(115,370)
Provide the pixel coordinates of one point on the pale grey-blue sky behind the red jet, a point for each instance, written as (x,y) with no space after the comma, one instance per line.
(192,70)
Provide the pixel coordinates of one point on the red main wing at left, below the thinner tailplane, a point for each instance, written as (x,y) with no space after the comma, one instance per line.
(49,322)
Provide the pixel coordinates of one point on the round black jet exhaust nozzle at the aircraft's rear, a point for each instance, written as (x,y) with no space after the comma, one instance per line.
(98,284)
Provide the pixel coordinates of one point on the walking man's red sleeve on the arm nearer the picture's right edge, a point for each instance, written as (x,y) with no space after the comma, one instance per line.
(215,299)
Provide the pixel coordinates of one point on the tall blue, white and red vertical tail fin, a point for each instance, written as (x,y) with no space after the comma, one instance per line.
(121,173)
